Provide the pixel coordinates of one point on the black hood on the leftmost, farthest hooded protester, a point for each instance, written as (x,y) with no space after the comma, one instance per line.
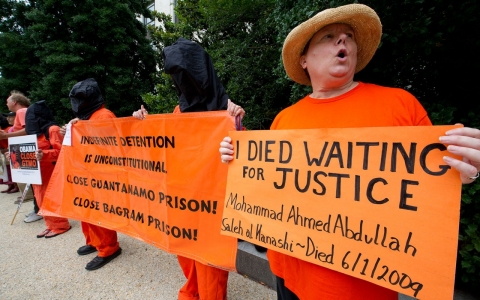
(38,119)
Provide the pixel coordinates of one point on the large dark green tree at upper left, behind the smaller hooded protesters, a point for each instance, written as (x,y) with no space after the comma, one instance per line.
(101,39)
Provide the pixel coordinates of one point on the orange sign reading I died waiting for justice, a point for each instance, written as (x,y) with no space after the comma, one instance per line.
(379,204)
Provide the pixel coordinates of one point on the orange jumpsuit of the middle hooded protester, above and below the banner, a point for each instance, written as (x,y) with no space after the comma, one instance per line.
(103,239)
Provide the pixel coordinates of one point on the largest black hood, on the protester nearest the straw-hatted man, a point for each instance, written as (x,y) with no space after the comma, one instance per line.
(197,83)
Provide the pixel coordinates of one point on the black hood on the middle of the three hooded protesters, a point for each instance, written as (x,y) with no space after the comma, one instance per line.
(85,98)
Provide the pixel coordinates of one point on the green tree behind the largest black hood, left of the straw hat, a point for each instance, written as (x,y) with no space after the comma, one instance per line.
(241,41)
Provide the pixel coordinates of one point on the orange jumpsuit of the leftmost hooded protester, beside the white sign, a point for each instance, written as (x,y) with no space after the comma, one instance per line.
(51,150)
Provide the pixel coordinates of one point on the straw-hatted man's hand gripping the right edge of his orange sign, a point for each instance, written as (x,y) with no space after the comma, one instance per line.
(464,142)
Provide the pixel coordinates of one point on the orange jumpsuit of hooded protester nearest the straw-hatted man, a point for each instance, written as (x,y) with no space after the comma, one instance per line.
(203,282)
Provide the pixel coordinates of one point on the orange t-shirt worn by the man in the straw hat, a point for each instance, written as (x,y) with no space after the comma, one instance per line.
(366,105)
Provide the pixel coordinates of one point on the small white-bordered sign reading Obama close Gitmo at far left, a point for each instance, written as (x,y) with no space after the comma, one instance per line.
(23,163)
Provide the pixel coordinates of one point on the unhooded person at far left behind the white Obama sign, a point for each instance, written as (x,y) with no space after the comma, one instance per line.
(18,103)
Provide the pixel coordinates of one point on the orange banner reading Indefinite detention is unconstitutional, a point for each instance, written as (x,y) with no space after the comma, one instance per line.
(159,180)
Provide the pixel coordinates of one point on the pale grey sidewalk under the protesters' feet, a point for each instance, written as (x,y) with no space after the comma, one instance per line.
(32,268)
